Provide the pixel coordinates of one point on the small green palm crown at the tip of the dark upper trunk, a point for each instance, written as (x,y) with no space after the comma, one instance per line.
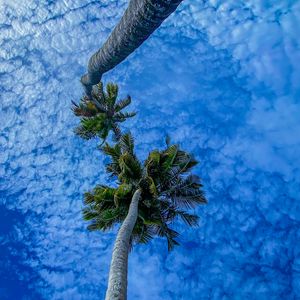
(101,113)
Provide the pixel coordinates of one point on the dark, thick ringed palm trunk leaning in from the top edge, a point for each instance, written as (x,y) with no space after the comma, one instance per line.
(140,19)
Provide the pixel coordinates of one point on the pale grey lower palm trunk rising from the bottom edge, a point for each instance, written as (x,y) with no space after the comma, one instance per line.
(117,282)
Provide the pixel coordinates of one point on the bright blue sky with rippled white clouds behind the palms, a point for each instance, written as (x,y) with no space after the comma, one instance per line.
(222,79)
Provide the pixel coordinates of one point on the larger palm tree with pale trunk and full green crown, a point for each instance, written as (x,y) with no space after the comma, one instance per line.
(148,199)
